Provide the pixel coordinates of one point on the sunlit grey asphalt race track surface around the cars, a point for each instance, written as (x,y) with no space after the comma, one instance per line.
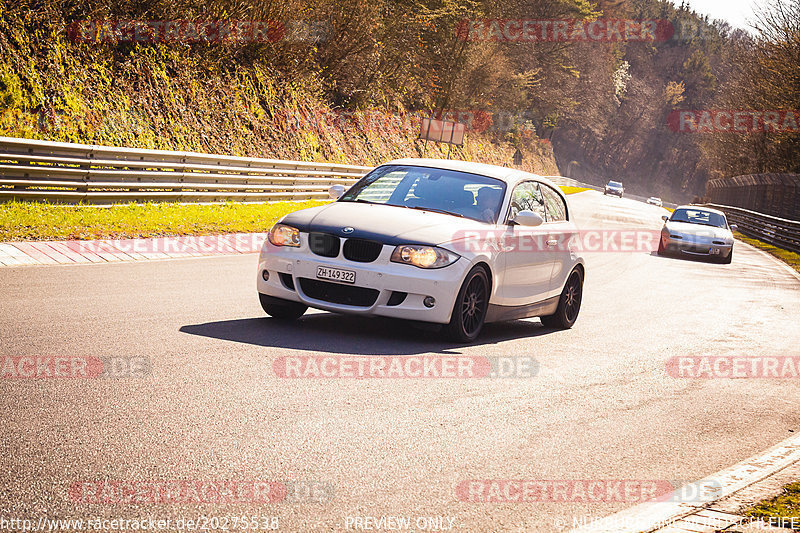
(601,406)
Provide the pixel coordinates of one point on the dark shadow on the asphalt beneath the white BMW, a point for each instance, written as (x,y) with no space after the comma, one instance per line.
(333,333)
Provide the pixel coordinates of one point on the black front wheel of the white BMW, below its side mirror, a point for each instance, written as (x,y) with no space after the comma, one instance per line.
(469,311)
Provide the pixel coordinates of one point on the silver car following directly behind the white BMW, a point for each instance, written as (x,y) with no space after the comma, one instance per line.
(697,231)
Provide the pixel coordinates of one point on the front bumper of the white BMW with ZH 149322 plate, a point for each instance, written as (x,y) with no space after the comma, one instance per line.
(293,277)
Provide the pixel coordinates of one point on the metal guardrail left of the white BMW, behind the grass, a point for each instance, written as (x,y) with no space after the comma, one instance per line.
(72,173)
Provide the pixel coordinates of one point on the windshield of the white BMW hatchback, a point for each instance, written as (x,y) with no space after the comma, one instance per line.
(431,189)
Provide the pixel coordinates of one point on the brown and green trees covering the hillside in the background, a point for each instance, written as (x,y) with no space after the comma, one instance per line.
(604,104)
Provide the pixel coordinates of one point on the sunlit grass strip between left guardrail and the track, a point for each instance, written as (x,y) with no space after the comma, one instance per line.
(33,221)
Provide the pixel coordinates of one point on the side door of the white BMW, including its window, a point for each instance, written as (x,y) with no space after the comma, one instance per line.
(526,258)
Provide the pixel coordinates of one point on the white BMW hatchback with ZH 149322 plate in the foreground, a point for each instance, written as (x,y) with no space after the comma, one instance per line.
(448,242)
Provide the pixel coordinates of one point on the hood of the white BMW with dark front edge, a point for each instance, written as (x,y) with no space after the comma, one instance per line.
(384,223)
